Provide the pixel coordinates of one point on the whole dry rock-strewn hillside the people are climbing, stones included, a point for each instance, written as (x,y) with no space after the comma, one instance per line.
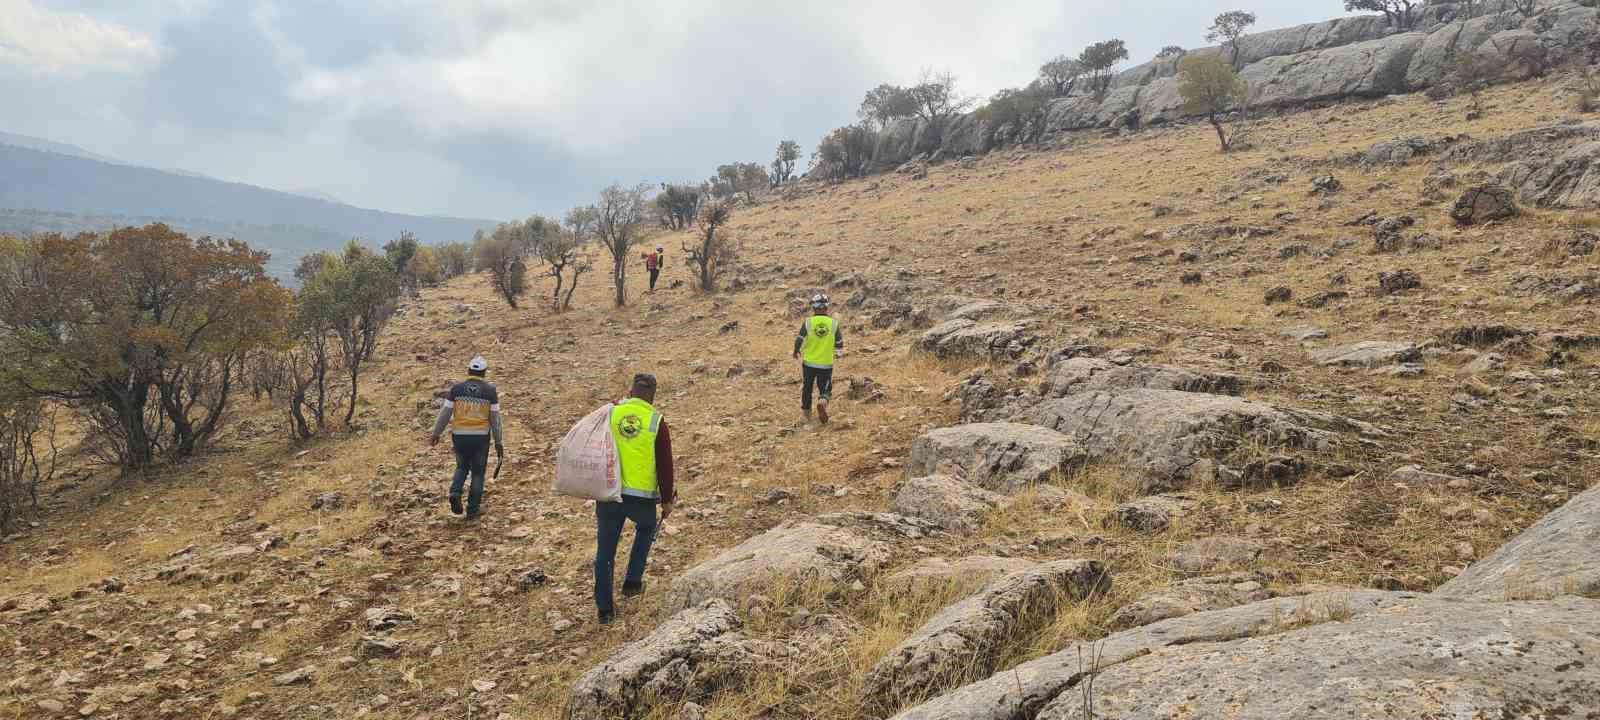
(1127,430)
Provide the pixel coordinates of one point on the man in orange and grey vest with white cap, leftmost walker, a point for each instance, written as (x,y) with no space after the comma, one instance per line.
(473,414)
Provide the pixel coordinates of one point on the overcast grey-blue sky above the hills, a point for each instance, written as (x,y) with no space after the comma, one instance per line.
(508,108)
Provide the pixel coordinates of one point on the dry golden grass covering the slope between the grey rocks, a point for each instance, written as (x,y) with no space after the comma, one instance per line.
(1050,231)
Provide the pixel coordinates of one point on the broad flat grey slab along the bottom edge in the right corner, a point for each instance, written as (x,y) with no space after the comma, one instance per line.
(1428,660)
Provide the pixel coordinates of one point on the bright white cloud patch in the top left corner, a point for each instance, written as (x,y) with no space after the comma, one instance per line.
(55,42)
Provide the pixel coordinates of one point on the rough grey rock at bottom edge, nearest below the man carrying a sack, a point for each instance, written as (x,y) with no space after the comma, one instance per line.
(684,657)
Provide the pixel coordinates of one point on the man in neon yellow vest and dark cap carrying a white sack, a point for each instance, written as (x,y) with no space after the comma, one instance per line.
(646,452)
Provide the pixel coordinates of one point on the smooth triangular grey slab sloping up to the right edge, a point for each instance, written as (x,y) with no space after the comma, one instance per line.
(1561,554)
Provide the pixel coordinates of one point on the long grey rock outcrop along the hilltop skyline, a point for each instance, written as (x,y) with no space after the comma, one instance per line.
(1294,68)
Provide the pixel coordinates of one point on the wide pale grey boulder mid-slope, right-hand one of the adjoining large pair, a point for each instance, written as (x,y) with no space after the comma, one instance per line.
(1170,439)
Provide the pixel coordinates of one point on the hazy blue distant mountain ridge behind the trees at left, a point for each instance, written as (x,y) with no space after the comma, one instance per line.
(65,178)
